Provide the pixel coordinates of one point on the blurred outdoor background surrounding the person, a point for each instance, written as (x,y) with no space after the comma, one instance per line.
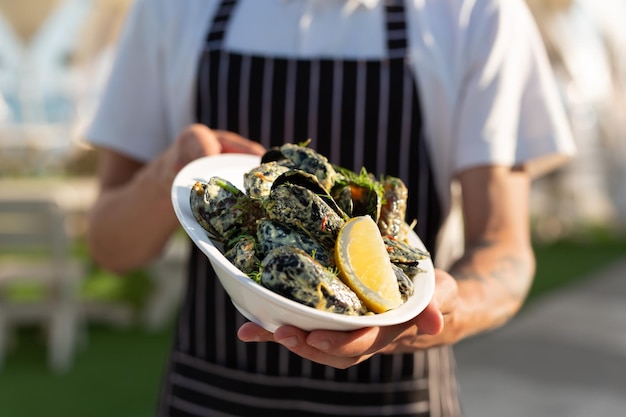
(77,341)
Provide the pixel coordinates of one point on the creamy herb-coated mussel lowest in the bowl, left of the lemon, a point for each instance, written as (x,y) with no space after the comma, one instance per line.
(294,274)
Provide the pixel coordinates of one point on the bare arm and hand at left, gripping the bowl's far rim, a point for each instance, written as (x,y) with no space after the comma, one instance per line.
(133,217)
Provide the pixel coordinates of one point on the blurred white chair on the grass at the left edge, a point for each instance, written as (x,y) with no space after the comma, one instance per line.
(35,248)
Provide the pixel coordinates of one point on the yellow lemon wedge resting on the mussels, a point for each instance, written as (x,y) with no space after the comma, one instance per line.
(364,265)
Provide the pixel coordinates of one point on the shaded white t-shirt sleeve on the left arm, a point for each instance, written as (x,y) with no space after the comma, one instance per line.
(130,117)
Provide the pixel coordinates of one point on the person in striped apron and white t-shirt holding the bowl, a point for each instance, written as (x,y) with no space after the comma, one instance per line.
(447,94)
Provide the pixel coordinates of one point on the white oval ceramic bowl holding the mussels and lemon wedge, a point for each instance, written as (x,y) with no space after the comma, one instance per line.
(256,302)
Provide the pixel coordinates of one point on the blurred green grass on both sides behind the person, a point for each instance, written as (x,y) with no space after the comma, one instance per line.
(119,371)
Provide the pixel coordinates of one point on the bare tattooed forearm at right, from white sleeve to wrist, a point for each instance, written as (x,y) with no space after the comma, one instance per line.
(492,278)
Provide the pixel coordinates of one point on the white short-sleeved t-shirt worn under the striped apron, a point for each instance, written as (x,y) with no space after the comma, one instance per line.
(486,86)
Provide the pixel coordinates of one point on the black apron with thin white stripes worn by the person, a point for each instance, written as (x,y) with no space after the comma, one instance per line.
(357,113)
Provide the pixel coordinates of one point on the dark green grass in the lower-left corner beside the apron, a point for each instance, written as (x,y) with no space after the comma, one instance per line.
(116,375)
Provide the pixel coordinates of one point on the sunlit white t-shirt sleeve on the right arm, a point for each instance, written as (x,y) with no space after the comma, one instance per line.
(510,111)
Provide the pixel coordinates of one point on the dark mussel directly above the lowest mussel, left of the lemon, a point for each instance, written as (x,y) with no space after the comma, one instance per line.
(272,234)
